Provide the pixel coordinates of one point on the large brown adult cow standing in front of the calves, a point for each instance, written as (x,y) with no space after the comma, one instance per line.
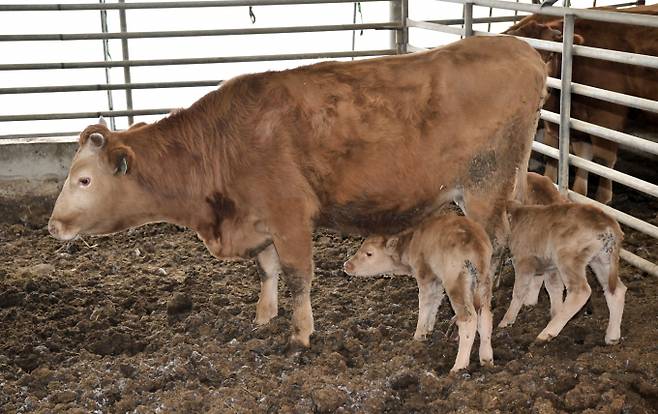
(368,146)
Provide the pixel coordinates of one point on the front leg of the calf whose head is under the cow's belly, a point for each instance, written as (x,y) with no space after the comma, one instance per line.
(430,295)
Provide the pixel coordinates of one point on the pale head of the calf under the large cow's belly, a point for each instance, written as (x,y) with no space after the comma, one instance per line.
(376,255)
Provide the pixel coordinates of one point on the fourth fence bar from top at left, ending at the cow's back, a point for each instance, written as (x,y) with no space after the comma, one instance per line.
(107,87)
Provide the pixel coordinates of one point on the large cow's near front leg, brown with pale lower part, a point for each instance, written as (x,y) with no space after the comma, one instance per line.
(296,257)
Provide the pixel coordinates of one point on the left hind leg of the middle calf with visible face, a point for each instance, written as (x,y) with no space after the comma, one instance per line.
(460,292)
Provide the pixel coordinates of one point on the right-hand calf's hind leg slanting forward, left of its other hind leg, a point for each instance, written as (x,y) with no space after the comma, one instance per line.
(572,271)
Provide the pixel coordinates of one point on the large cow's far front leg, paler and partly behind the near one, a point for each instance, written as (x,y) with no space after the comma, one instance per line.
(269,270)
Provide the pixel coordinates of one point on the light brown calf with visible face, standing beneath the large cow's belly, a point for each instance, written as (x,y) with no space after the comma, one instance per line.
(450,252)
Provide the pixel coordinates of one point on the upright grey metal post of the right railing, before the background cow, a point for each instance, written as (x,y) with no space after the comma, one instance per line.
(565,103)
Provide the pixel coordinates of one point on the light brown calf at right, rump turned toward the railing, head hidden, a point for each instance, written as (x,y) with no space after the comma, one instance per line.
(564,239)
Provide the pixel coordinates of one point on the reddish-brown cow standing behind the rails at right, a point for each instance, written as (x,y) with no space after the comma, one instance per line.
(628,79)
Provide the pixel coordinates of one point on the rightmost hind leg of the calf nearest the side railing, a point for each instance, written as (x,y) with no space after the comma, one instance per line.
(606,269)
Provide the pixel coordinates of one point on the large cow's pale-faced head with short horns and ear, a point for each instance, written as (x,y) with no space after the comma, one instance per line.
(99,195)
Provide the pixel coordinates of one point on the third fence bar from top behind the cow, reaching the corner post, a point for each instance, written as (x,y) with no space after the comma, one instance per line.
(196,61)
